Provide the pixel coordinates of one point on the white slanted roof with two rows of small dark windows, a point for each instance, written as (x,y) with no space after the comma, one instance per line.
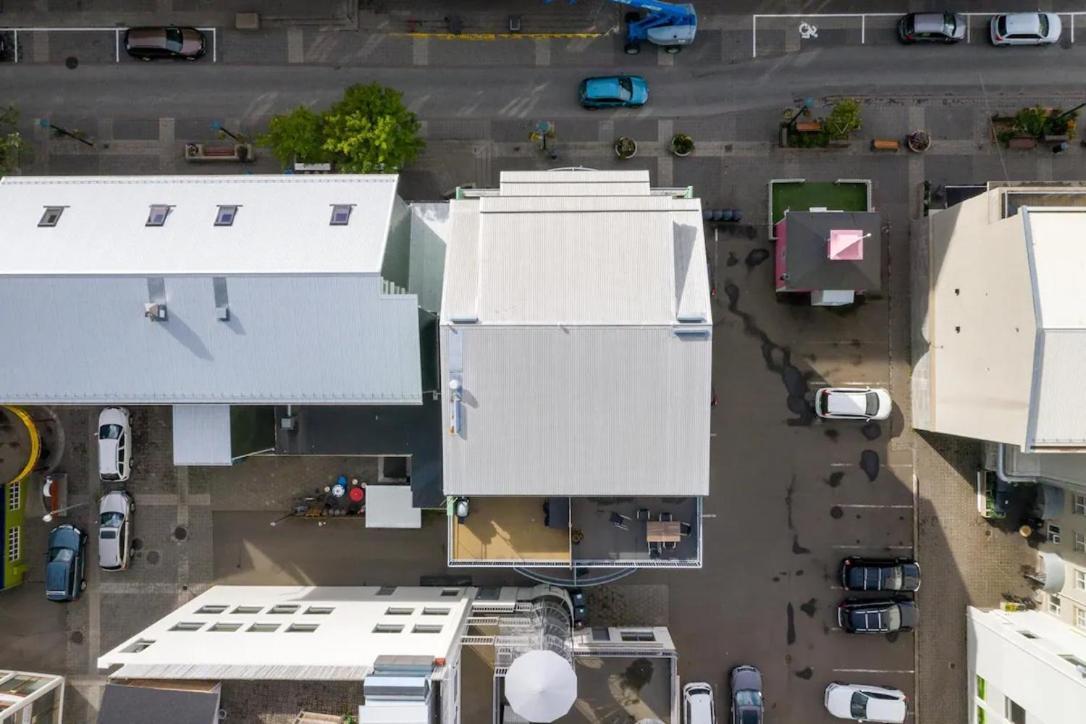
(345,644)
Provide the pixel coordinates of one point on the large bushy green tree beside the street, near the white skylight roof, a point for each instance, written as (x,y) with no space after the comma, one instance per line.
(370,131)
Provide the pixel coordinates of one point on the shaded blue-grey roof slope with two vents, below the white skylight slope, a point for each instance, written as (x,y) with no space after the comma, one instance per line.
(335,339)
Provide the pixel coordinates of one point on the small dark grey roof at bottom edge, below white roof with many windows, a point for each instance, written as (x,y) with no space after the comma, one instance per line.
(127,705)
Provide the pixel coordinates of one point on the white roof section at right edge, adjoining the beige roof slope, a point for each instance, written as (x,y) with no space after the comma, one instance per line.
(1057,246)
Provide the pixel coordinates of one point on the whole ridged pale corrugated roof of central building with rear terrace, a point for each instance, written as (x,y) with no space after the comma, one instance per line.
(580,329)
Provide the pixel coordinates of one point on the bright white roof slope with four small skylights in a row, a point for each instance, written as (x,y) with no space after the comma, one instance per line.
(283,224)
